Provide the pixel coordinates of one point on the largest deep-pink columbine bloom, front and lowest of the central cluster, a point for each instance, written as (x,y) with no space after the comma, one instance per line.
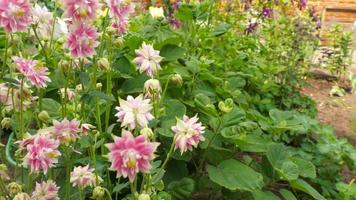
(129,155)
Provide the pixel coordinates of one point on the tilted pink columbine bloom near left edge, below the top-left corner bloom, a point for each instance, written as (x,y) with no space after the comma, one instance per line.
(34,71)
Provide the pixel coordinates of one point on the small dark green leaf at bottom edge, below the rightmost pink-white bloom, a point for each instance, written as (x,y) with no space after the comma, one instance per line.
(181,189)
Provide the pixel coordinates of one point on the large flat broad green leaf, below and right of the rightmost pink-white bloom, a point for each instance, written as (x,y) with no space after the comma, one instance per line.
(234,175)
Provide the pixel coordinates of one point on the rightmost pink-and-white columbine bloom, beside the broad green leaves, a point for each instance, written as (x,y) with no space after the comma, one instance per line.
(188,133)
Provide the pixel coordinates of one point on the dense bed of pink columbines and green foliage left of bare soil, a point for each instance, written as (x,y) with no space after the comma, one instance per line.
(101,101)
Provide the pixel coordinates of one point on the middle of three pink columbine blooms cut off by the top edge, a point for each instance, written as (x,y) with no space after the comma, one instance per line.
(80,10)
